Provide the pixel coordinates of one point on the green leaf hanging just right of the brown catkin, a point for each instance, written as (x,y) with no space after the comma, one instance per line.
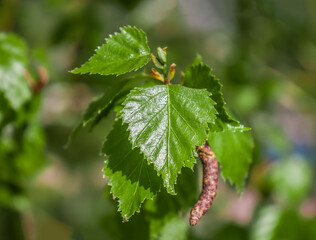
(233,150)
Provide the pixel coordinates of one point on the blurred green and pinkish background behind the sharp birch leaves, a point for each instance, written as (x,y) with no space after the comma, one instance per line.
(263,51)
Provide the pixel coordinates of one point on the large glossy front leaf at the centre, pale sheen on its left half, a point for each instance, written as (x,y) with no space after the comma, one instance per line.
(166,123)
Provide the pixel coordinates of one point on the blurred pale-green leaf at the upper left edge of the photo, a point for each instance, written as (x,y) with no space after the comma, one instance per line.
(13,61)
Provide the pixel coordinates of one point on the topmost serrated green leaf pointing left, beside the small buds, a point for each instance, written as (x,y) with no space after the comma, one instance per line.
(123,52)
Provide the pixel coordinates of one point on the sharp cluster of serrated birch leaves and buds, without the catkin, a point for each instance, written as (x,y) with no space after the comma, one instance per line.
(162,124)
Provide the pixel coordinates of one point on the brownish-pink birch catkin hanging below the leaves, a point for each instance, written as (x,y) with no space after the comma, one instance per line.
(210,177)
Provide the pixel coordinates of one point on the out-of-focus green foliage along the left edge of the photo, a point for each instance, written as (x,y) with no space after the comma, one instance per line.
(21,137)
